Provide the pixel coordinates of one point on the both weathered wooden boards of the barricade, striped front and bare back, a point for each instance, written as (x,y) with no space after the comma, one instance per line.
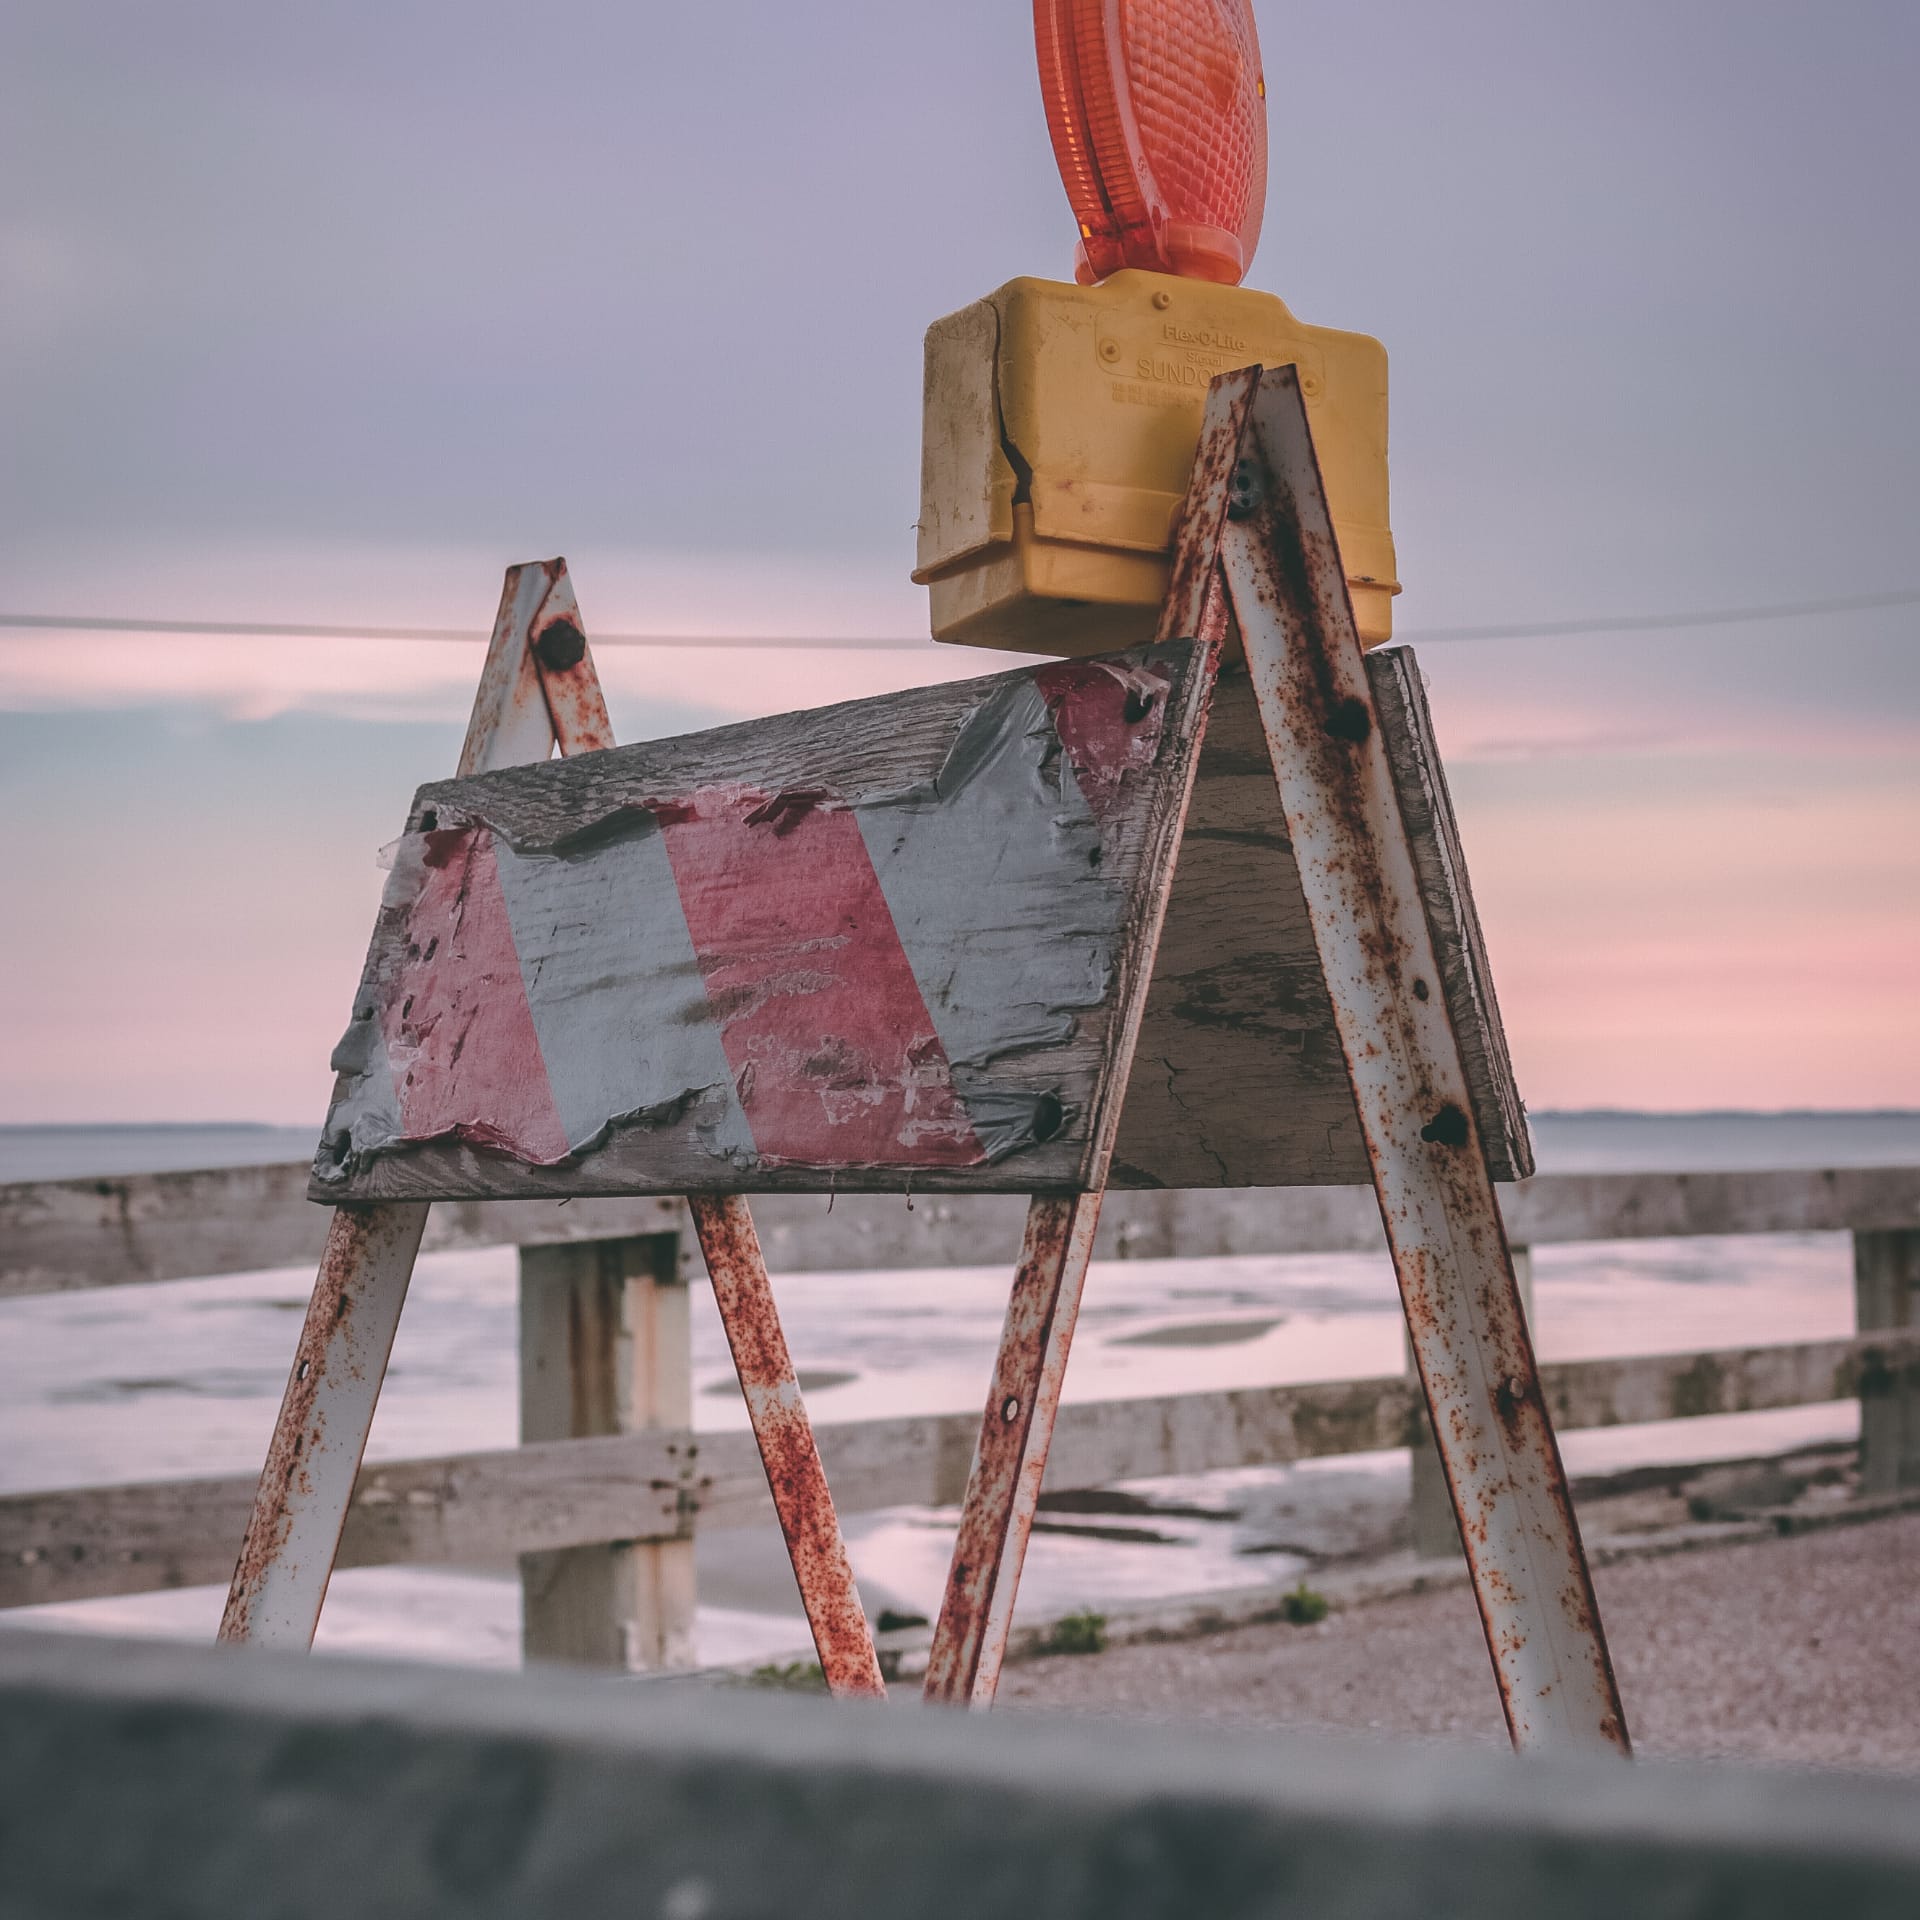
(886,946)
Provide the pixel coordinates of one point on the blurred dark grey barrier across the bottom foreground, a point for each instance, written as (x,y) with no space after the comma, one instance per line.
(143,1779)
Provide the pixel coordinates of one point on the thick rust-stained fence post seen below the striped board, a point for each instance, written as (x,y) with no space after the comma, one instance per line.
(604,1351)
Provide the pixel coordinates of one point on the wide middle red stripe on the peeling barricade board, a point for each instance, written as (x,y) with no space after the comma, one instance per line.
(832,1045)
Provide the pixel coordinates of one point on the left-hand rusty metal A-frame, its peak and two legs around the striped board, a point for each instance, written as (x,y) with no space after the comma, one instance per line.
(539,690)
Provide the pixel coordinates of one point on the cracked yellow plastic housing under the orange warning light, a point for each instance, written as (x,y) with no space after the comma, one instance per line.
(1057,439)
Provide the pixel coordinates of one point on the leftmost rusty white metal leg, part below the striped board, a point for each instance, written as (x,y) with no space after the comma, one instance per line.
(318,1443)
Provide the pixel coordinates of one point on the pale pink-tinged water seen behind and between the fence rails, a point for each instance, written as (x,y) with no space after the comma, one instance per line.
(185,1380)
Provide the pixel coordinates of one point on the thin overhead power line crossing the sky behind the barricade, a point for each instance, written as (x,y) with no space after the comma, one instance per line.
(1641,623)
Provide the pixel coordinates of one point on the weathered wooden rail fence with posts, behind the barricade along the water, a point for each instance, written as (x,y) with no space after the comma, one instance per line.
(604,1520)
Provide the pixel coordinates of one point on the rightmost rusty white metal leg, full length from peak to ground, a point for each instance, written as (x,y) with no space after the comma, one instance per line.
(1429,1168)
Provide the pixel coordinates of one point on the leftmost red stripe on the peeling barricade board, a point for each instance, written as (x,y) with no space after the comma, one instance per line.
(458,1028)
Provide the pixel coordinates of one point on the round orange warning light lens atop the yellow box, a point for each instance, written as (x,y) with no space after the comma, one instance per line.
(1159,114)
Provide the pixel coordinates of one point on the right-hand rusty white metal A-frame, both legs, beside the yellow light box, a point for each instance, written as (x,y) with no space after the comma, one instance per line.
(1257,535)
